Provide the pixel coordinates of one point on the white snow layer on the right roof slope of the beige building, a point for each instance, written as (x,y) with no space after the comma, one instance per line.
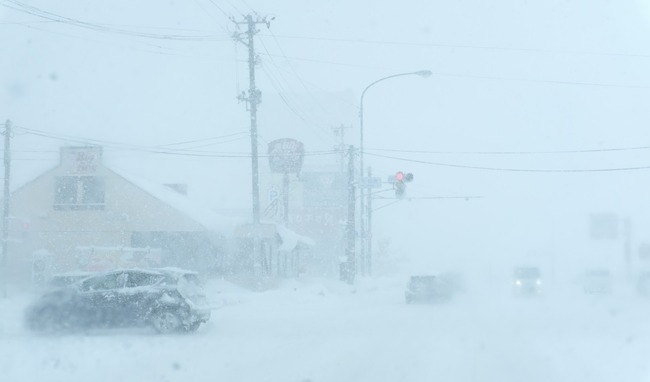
(197,211)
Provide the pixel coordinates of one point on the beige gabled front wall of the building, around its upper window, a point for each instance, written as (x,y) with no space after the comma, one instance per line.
(36,226)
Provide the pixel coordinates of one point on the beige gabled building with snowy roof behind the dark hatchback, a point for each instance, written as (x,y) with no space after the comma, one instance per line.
(83,216)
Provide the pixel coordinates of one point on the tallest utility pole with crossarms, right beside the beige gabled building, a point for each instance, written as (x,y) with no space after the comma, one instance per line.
(253,99)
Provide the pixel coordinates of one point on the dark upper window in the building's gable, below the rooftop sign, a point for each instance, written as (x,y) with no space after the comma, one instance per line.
(79,193)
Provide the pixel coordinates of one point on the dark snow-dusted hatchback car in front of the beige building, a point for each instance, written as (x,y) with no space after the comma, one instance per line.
(169,300)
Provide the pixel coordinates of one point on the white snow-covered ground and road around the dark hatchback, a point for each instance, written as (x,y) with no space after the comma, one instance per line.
(321,330)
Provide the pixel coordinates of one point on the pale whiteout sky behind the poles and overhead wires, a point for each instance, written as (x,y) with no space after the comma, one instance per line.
(508,76)
